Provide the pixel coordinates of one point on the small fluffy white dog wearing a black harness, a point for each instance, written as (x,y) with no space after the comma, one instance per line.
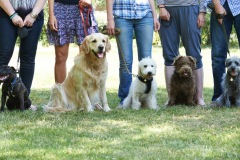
(143,89)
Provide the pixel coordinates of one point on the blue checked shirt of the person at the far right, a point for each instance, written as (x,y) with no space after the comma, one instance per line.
(234,5)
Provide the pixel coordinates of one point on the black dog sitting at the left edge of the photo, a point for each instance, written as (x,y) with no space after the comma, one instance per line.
(14,89)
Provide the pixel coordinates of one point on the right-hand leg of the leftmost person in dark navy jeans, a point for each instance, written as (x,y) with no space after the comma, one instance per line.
(27,51)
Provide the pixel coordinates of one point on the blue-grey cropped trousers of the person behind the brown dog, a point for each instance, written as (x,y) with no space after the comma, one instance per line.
(182,25)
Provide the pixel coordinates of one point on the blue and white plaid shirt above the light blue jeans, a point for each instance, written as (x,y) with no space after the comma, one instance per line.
(131,9)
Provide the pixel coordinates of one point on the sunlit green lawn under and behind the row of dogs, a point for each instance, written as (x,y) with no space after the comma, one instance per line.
(178,132)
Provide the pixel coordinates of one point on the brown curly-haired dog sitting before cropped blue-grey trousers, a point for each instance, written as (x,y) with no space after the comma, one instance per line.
(182,85)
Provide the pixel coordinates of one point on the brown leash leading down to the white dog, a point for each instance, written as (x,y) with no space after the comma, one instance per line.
(117,32)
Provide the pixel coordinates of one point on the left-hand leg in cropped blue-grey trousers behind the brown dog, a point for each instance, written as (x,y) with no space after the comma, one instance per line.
(170,39)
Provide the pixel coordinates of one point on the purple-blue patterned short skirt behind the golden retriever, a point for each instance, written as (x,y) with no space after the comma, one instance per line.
(70,28)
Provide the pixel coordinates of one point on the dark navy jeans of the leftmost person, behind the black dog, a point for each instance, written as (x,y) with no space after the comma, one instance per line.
(27,49)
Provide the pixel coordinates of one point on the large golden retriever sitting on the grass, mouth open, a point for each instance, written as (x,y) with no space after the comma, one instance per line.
(84,87)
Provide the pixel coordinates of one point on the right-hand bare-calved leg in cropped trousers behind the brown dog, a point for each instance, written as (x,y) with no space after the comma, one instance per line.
(191,39)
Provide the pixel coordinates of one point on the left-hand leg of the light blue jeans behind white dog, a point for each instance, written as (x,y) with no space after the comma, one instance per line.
(125,39)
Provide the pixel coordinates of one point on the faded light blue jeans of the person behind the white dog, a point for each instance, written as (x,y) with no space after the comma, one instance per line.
(143,29)
